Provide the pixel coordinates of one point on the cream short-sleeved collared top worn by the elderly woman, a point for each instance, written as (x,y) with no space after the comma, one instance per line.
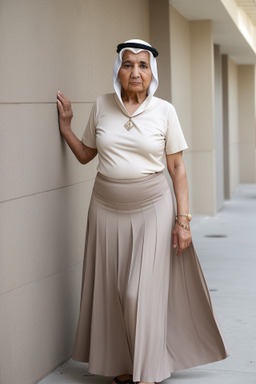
(138,152)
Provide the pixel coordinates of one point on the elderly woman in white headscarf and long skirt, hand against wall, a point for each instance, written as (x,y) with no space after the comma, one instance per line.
(145,308)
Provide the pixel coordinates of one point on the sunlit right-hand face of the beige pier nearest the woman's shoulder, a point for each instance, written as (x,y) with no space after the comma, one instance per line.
(202,115)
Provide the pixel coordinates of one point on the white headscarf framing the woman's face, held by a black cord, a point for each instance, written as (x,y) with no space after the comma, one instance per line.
(118,62)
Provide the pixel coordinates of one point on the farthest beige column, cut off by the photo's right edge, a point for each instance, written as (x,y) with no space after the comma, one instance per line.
(246,85)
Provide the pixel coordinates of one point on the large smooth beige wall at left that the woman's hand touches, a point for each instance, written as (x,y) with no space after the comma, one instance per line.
(48,46)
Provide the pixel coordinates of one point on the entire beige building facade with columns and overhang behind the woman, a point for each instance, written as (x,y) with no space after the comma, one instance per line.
(207,70)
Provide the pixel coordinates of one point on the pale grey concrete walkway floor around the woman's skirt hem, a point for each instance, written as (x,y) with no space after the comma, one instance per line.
(226,246)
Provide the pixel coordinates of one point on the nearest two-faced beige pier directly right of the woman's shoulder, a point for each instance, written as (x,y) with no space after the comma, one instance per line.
(192,89)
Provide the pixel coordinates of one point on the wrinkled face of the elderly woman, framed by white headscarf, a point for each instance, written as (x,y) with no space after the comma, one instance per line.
(135,73)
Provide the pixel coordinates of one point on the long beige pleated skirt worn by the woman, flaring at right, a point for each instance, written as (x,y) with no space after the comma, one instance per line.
(144,310)
